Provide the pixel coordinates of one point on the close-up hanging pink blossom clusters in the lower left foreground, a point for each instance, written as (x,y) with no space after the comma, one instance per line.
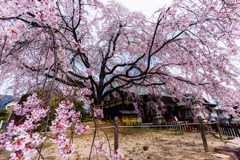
(23,138)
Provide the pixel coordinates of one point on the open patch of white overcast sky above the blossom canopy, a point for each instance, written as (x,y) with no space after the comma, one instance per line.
(148,7)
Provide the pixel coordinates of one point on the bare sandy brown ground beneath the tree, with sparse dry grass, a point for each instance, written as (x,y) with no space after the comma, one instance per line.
(162,144)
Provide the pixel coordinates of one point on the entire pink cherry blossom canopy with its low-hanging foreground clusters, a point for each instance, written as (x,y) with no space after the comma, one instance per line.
(62,51)
